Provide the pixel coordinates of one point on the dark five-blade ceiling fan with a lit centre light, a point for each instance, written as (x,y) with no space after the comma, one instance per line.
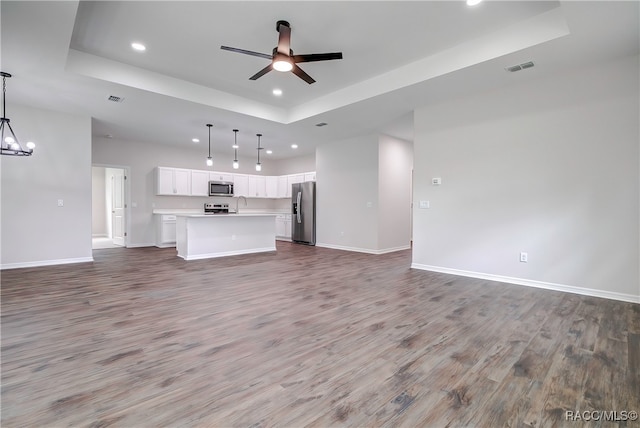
(282,58)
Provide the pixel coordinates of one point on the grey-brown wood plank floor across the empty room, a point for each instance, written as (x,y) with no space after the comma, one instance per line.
(306,336)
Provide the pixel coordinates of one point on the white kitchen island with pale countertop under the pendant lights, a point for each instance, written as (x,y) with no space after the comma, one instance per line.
(203,236)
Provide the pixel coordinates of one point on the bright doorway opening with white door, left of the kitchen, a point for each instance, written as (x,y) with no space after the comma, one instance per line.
(108,207)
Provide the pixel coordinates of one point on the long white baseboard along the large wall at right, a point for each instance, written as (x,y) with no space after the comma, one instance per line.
(532,283)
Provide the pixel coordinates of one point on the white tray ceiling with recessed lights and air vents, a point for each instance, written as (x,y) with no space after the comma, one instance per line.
(71,56)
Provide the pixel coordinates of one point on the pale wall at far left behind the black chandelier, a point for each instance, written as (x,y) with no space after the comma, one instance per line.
(34,230)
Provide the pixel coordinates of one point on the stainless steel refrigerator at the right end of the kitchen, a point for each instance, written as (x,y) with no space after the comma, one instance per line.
(303,210)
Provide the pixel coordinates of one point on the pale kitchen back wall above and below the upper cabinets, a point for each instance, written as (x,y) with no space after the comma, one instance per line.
(143,158)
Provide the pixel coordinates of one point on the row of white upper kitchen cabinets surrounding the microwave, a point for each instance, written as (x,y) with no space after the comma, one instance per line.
(188,182)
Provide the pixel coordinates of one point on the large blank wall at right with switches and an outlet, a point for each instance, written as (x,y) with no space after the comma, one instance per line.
(549,168)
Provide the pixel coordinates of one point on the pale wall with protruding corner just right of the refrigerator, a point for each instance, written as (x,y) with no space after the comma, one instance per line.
(363,194)
